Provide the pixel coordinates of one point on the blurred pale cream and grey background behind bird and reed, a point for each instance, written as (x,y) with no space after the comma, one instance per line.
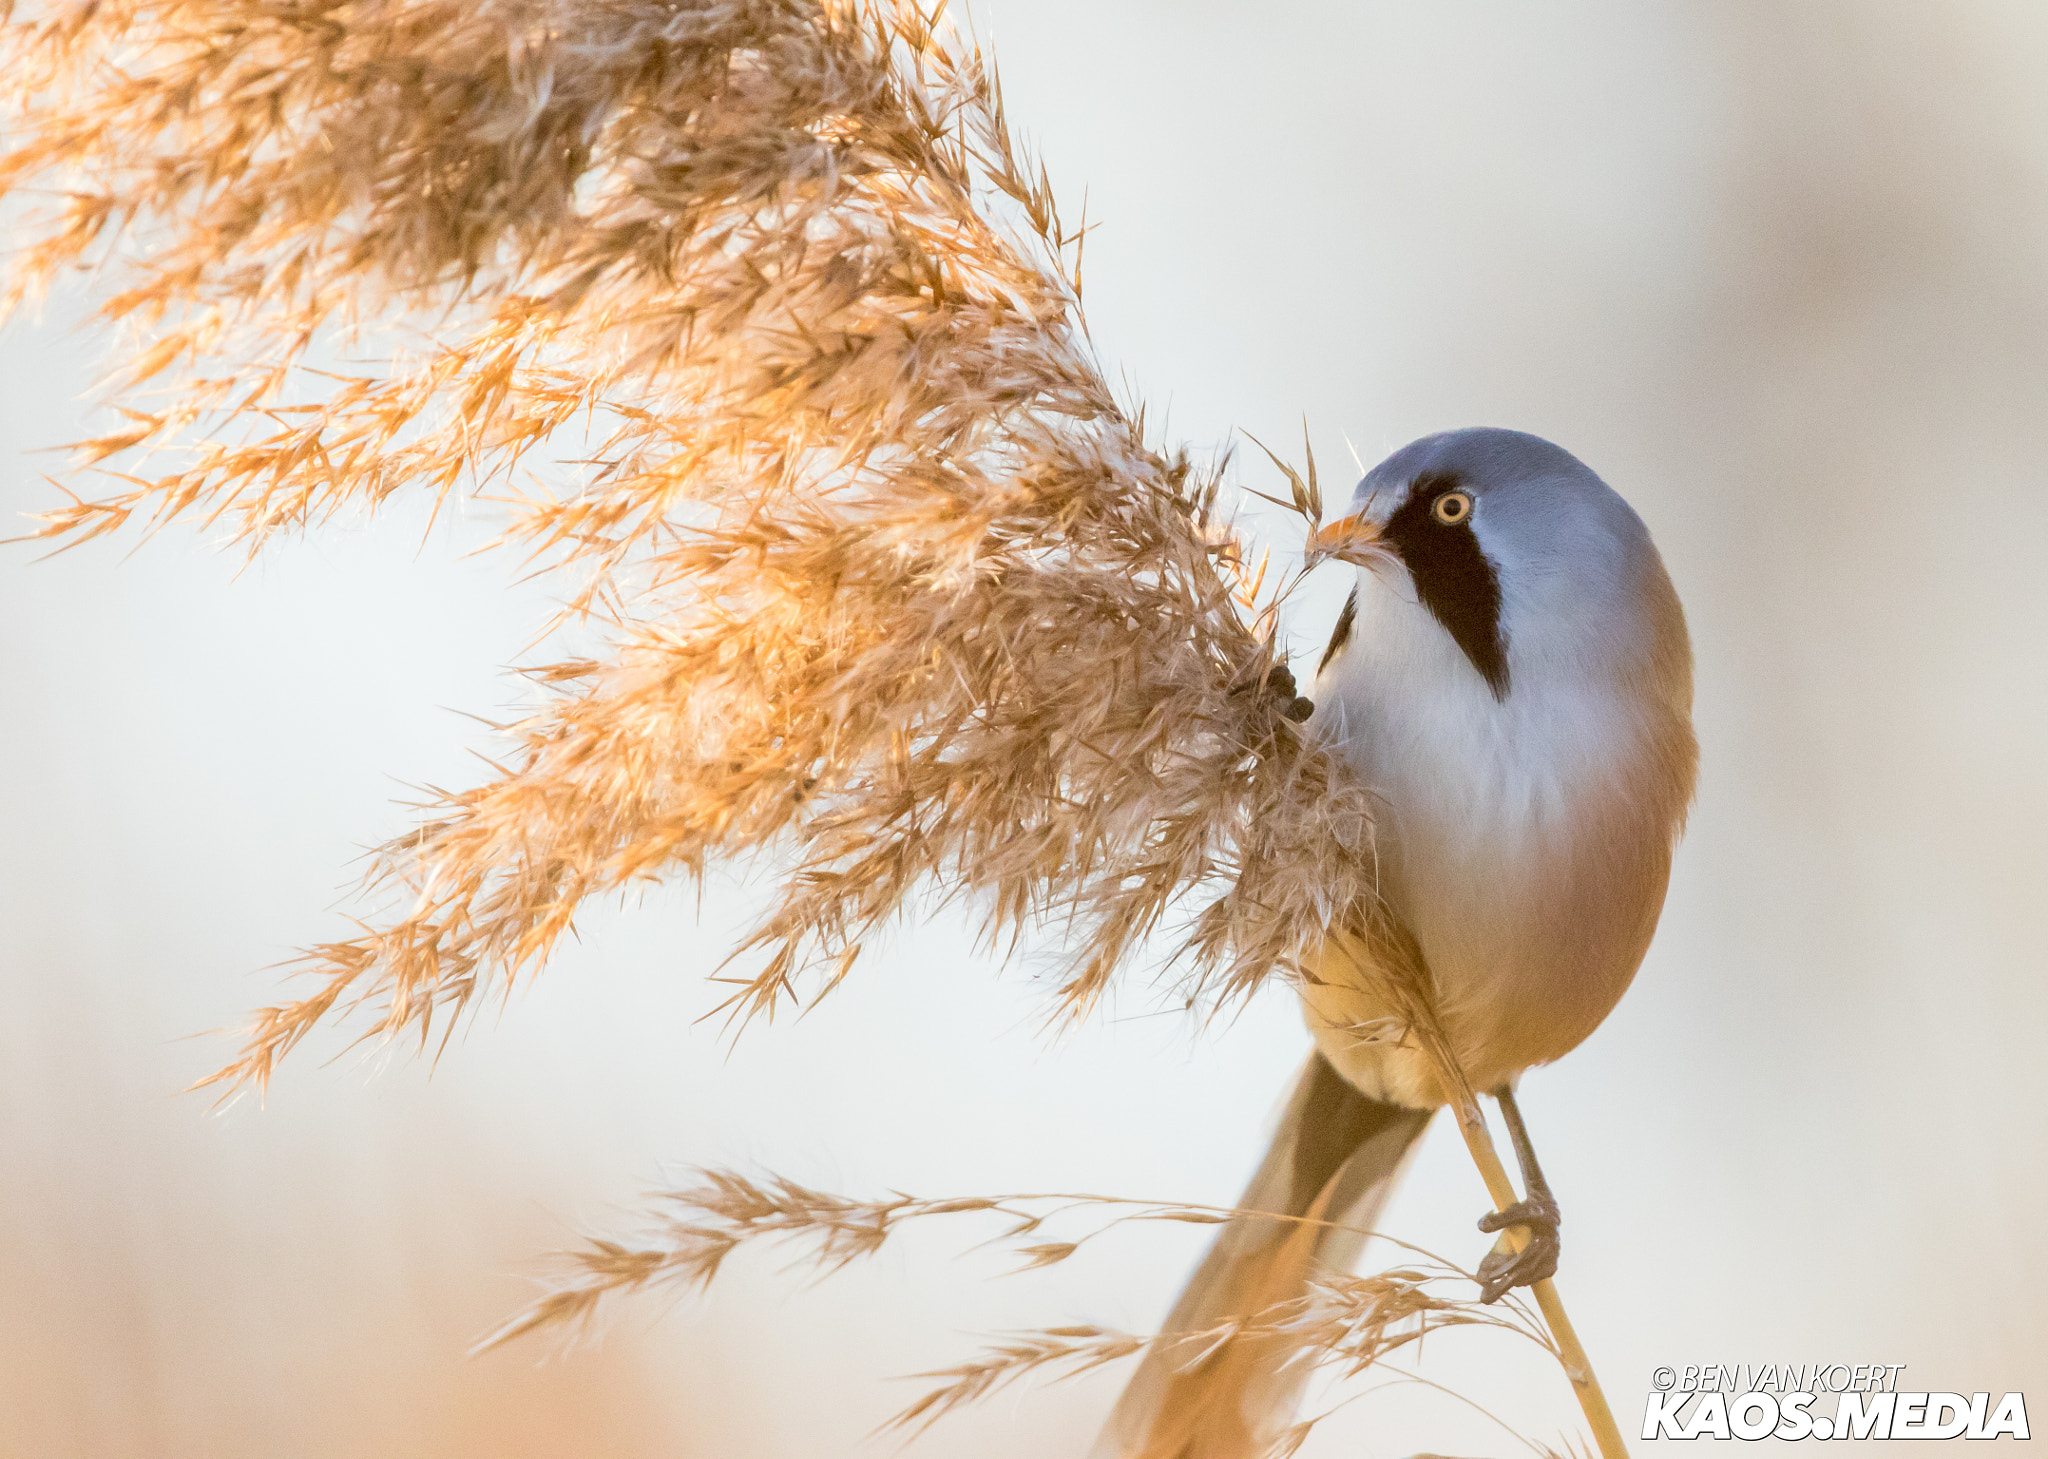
(1779,272)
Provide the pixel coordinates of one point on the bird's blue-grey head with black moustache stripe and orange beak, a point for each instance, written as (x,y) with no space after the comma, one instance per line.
(1521,554)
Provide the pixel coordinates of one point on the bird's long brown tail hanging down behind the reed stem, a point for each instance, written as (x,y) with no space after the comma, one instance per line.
(1195,1397)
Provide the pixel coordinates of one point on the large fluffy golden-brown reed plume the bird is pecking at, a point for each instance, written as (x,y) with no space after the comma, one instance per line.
(769,339)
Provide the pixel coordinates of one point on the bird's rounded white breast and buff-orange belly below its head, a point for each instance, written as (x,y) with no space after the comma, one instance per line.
(1525,841)
